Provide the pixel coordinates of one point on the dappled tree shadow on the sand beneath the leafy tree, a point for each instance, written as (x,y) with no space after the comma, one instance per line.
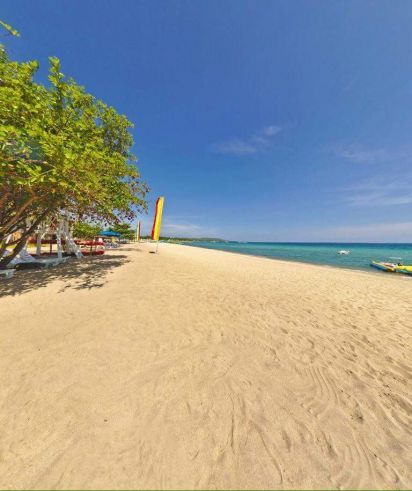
(90,272)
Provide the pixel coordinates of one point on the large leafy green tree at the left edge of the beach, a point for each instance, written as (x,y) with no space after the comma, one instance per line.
(61,150)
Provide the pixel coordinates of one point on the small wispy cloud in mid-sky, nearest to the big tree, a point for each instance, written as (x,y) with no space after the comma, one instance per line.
(258,142)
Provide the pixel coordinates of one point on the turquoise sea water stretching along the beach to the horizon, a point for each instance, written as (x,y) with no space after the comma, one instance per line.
(319,253)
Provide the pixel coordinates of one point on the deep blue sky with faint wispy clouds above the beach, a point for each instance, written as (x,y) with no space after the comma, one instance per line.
(264,120)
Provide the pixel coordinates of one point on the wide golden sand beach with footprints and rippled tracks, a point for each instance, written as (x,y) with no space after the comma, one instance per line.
(204,369)
